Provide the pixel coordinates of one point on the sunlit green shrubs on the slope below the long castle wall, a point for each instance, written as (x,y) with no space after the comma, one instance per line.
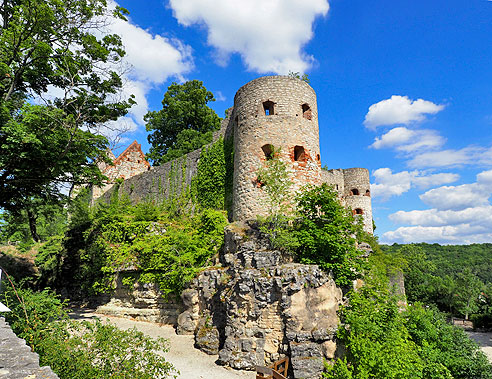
(170,257)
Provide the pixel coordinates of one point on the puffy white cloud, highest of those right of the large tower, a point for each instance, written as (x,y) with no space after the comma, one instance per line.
(399,110)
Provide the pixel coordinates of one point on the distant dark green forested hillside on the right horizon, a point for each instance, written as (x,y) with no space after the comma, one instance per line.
(456,278)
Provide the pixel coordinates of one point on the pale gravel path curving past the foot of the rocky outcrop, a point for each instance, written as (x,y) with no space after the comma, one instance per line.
(191,363)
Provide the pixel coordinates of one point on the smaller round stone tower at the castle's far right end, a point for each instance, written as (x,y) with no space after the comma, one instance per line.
(357,194)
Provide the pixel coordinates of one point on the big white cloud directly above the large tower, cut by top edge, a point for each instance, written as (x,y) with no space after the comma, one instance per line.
(268,34)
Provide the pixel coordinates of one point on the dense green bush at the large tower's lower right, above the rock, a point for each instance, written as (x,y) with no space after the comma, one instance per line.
(326,233)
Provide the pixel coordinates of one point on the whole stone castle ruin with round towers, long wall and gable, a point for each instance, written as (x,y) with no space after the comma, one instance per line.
(269,112)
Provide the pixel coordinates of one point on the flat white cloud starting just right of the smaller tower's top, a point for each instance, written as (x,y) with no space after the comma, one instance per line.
(388,184)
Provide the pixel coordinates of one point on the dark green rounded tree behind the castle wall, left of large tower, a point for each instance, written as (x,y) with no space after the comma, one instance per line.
(185,122)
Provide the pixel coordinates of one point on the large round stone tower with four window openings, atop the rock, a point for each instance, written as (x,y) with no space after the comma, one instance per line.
(277,111)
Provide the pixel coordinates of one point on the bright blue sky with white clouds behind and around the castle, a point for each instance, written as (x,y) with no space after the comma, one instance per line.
(404,89)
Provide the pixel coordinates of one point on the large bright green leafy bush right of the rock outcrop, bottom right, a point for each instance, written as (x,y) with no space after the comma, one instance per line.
(385,341)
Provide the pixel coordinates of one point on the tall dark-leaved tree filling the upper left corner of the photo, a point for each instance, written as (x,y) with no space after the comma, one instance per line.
(59,46)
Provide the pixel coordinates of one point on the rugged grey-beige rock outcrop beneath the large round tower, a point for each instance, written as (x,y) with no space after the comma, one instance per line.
(260,307)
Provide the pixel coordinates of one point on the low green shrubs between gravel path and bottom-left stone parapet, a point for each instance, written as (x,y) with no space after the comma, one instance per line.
(82,350)
